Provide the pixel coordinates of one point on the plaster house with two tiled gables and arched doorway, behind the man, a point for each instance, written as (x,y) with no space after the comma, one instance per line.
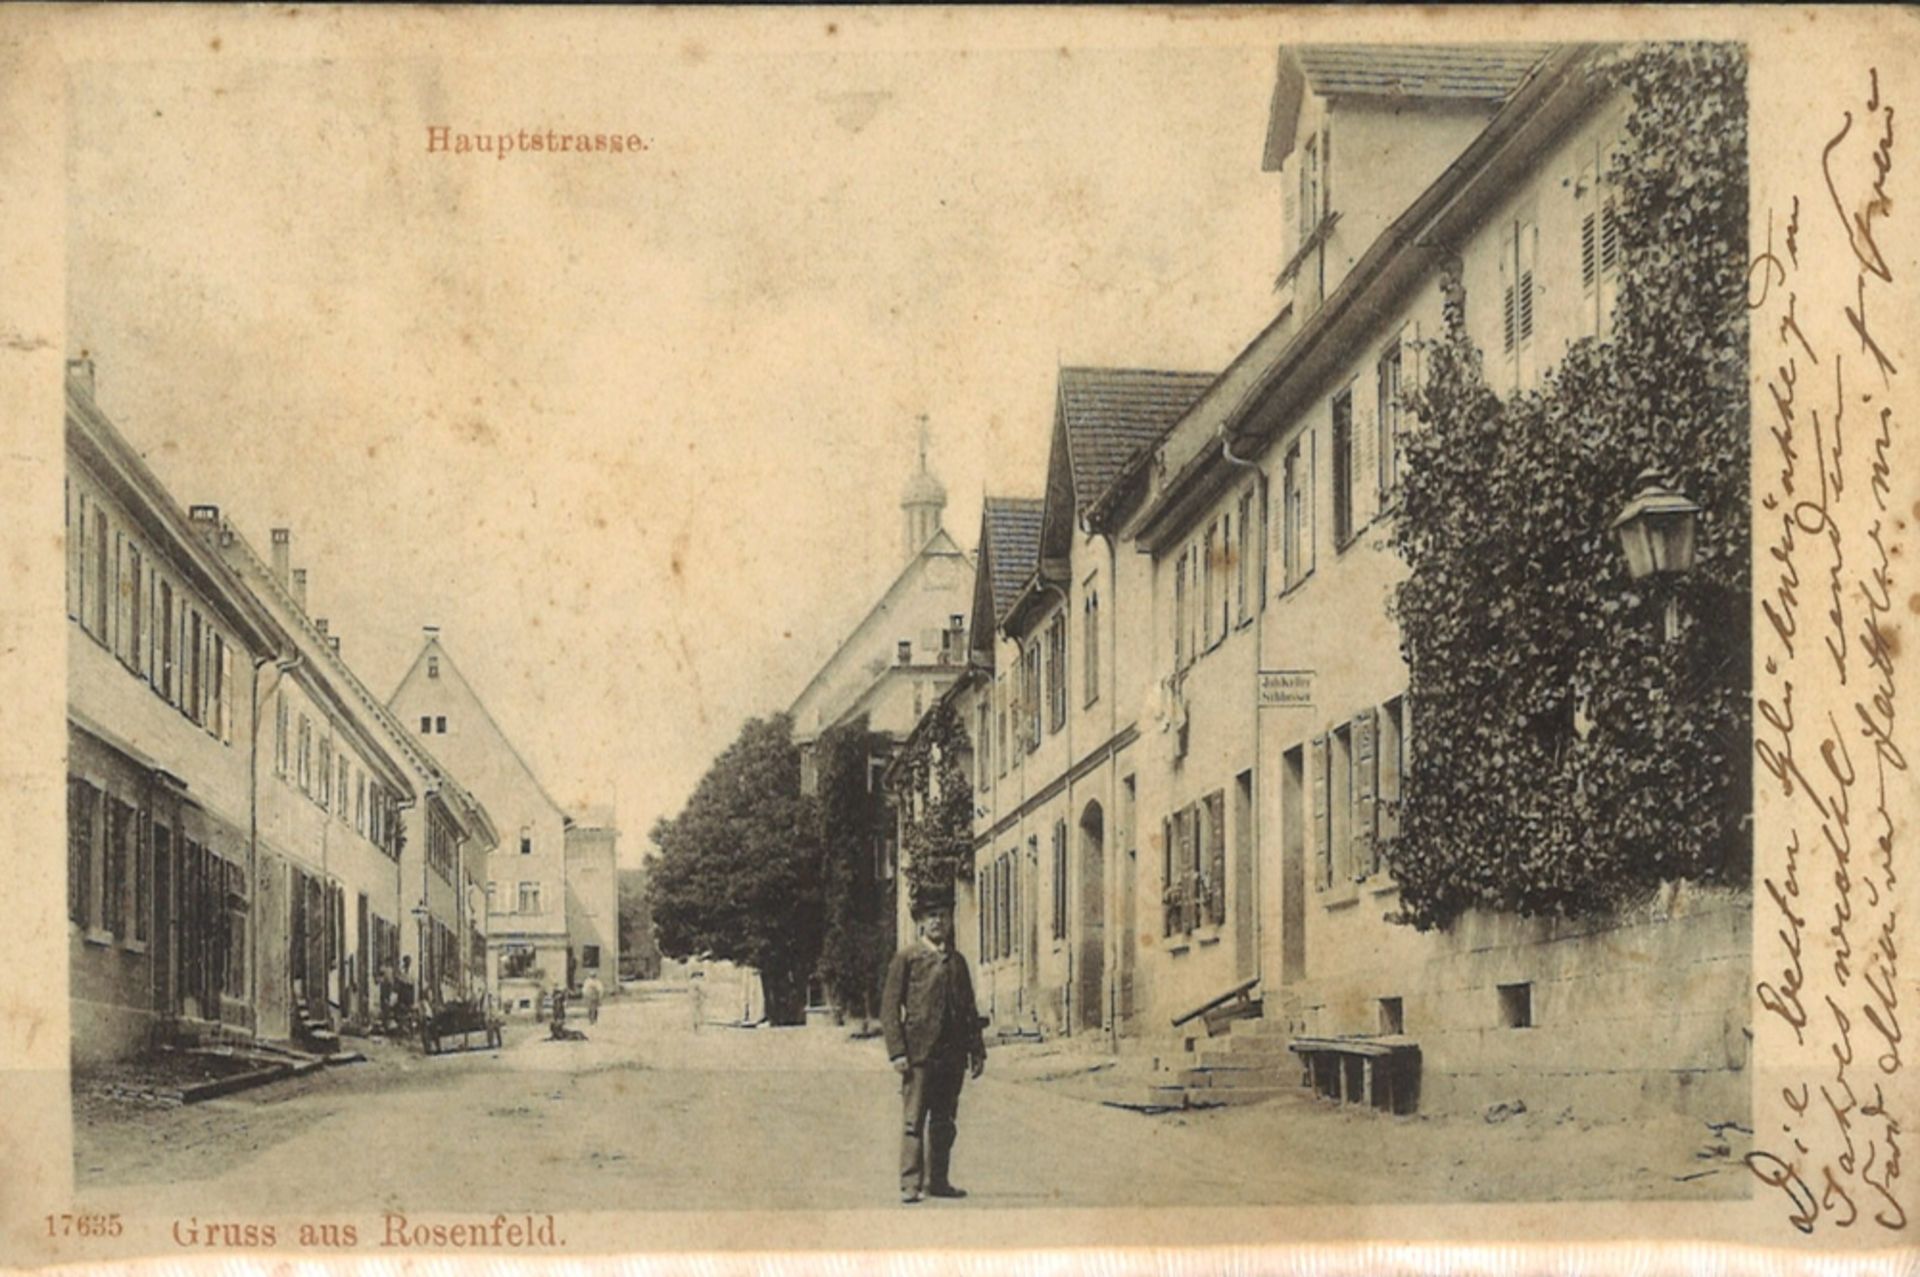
(1057,809)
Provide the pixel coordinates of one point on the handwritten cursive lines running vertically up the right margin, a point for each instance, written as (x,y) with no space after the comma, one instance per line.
(1829,946)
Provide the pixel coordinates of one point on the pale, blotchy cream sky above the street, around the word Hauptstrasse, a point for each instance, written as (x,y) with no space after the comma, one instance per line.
(633,429)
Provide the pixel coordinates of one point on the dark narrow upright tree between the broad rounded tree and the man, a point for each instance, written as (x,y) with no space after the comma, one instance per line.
(853,829)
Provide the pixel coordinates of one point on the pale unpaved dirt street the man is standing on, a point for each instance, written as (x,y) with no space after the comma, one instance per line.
(652,1115)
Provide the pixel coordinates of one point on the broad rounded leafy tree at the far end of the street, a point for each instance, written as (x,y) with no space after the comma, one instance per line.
(738,877)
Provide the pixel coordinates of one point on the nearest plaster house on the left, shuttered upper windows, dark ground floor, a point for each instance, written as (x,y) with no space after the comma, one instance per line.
(164,656)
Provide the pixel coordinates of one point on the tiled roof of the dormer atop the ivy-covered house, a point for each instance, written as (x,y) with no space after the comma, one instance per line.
(1445,74)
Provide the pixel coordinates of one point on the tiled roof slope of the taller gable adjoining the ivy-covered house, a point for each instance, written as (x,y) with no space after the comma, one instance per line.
(1113,414)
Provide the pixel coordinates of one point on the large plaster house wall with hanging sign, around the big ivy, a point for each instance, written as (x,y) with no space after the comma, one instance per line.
(1303,698)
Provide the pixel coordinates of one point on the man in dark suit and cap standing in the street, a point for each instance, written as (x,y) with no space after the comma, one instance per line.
(932,1028)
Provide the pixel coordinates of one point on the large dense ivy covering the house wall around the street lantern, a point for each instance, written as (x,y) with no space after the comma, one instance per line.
(1568,759)
